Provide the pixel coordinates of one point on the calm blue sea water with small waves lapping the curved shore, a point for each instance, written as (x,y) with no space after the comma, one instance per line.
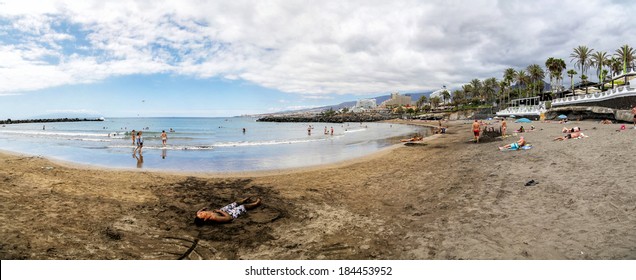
(201,144)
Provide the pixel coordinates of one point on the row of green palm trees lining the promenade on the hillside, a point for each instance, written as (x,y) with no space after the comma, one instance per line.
(529,82)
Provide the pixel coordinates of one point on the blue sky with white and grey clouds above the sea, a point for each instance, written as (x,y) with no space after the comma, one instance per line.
(227,58)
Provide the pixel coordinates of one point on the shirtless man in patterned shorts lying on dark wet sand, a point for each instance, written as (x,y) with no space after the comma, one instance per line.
(226,213)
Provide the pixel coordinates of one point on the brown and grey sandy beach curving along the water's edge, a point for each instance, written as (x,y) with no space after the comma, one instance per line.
(446,198)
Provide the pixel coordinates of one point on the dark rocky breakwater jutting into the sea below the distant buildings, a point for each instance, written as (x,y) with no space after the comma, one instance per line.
(340,118)
